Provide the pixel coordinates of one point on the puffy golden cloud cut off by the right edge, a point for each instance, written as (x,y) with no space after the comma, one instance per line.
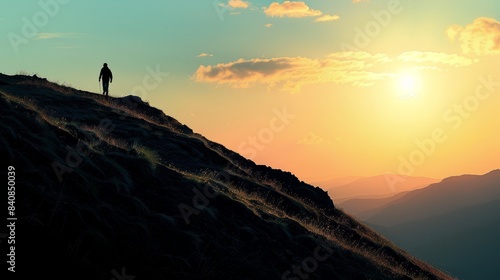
(481,37)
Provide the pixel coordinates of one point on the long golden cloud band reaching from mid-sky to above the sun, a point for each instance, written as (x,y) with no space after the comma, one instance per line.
(356,68)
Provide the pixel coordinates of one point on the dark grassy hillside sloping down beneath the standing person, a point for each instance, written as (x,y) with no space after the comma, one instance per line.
(115,189)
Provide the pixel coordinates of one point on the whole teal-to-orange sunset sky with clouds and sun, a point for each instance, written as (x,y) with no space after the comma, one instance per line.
(322,88)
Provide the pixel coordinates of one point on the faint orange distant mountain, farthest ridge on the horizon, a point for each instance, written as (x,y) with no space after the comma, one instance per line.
(381,186)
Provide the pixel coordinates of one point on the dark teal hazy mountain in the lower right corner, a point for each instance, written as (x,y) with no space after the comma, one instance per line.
(453,224)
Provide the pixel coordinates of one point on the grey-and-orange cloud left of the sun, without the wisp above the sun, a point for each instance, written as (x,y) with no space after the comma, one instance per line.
(292,73)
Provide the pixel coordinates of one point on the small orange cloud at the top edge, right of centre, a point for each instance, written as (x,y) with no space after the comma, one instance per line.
(291,9)
